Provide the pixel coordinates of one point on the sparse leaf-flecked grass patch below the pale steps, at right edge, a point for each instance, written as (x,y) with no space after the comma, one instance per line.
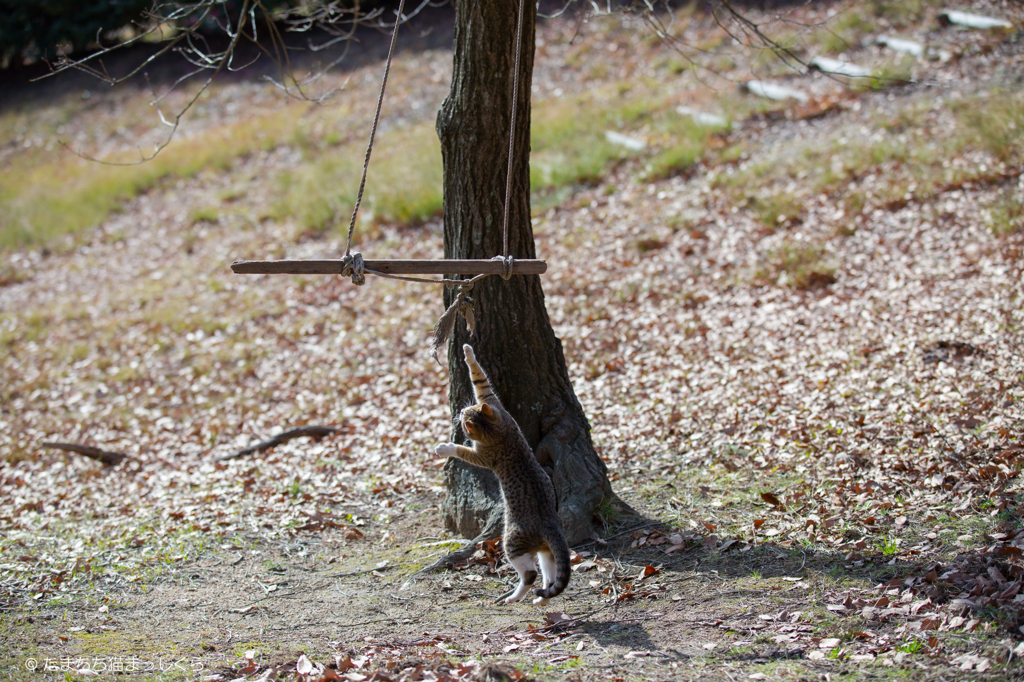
(918,158)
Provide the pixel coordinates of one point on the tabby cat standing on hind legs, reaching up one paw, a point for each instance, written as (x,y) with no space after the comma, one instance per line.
(532,527)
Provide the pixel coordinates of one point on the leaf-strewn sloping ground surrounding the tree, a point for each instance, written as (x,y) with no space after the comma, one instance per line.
(818,415)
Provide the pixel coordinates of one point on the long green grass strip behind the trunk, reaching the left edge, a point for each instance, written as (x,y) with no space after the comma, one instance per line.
(46,196)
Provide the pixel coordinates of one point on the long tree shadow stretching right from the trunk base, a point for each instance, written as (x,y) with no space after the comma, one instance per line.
(915,591)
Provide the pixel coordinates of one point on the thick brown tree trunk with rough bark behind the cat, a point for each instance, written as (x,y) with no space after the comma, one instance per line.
(514,339)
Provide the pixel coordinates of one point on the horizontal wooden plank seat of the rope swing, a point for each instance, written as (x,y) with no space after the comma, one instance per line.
(333,267)
